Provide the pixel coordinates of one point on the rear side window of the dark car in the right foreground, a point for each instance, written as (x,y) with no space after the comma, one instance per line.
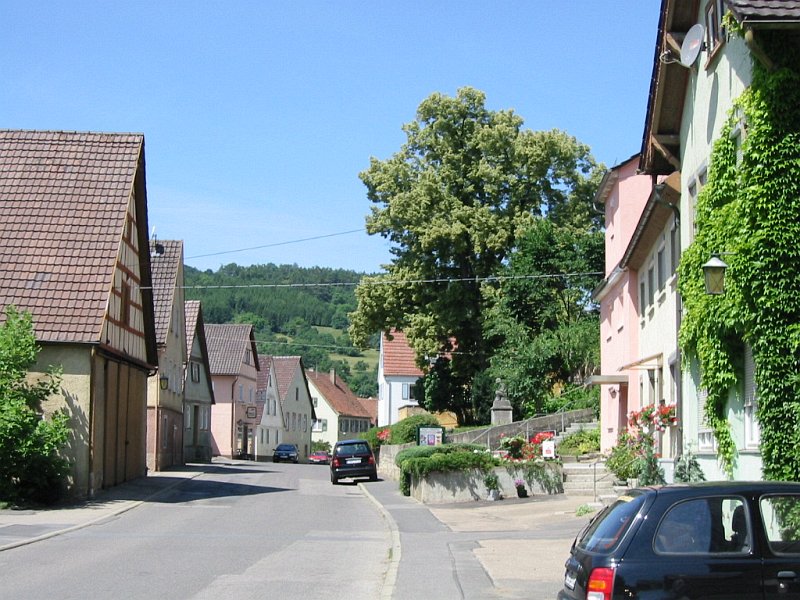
(704,526)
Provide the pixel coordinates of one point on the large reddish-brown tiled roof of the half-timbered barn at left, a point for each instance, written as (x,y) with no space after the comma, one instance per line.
(63,205)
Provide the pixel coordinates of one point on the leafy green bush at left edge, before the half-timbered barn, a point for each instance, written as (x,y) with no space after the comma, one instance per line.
(31,468)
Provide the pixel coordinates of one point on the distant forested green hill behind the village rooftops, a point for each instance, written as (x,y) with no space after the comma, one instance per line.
(288,305)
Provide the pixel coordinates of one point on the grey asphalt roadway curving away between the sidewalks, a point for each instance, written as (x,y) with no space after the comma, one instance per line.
(250,530)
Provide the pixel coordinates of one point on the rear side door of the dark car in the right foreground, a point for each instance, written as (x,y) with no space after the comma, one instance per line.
(693,551)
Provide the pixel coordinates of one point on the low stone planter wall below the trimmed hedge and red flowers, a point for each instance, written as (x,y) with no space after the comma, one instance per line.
(466,486)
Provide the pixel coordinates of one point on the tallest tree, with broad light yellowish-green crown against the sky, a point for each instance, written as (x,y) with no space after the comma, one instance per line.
(454,200)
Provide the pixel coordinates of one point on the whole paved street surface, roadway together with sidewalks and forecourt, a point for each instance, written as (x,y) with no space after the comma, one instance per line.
(250,530)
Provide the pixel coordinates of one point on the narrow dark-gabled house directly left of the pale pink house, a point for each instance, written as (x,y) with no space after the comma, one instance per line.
(198,389)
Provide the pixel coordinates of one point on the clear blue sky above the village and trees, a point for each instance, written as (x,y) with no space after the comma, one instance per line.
(259,115)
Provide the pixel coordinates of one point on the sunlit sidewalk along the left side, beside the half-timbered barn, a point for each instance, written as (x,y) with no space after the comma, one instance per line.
(20,527)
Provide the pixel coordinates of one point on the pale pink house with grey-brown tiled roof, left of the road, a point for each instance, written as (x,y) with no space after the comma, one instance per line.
(233,360)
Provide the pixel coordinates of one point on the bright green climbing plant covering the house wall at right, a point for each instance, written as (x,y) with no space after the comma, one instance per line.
(750,208)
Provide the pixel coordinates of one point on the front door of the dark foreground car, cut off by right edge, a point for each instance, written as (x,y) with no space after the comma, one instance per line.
(780,516)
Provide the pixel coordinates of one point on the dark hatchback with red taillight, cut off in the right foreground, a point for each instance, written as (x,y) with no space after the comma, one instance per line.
(699,540)
